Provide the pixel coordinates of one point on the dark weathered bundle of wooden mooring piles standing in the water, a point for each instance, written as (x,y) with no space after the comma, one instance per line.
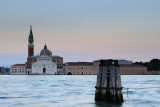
(108,87)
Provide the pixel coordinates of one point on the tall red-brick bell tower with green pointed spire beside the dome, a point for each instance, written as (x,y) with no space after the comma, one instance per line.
(30,43)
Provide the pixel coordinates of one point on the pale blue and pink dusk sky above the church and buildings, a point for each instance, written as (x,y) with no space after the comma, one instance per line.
(80,30)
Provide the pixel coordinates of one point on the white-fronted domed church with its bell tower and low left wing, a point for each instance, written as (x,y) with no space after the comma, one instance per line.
(43,64)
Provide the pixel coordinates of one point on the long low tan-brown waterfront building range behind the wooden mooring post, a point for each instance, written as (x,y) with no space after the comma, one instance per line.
(92,68)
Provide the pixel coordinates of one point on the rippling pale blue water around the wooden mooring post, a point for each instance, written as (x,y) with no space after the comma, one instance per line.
(72,91)
